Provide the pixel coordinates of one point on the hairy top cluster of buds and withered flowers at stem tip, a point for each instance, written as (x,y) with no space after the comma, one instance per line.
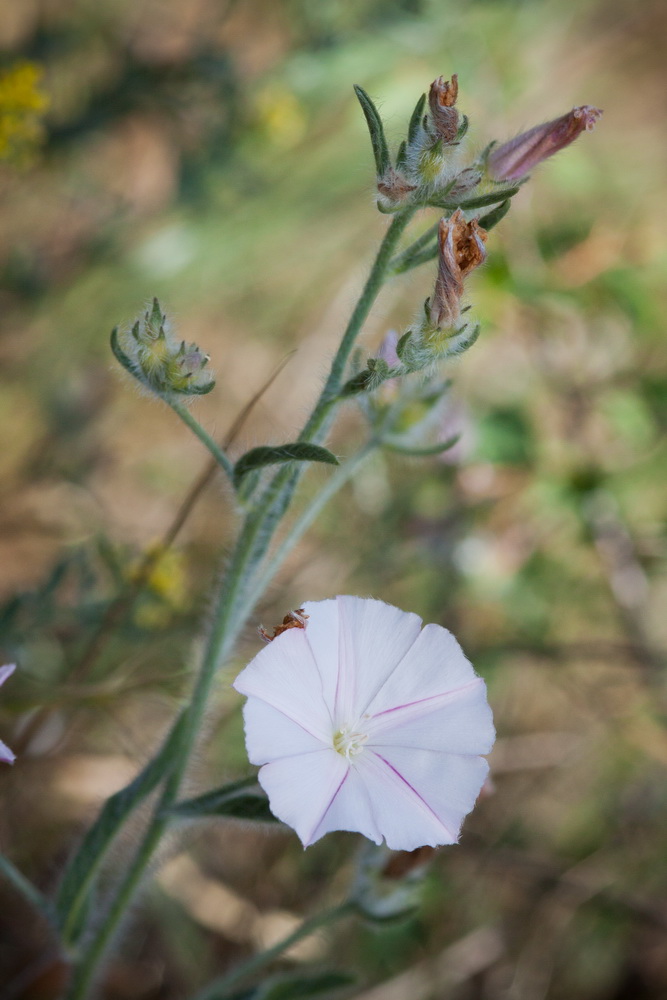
(426,174)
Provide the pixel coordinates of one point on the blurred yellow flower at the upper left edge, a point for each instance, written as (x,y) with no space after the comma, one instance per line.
(22,107)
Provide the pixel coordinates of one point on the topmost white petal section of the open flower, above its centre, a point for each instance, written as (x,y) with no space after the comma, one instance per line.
(374,637)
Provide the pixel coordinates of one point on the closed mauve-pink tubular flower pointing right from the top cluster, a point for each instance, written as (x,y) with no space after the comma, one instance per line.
(516,158)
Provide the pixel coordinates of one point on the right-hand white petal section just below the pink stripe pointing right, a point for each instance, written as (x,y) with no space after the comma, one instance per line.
(458,722)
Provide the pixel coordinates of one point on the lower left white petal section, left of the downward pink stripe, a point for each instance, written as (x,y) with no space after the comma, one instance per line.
(302,788)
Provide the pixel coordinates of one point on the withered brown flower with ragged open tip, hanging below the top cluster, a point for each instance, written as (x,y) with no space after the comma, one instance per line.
(461,250)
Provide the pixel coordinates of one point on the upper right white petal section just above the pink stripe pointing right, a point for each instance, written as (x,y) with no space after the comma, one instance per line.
(433,665)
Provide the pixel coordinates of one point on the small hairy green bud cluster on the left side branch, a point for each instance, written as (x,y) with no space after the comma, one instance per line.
(161,362)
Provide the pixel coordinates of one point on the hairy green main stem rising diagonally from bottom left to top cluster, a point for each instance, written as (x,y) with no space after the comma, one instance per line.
(231,613)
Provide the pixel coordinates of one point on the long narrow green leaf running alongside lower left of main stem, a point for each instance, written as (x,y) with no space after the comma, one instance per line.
(84,865)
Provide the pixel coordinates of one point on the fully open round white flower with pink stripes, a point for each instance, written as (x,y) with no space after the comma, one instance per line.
(364,721)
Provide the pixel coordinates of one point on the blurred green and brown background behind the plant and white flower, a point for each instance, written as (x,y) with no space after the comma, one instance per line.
(212,153)
